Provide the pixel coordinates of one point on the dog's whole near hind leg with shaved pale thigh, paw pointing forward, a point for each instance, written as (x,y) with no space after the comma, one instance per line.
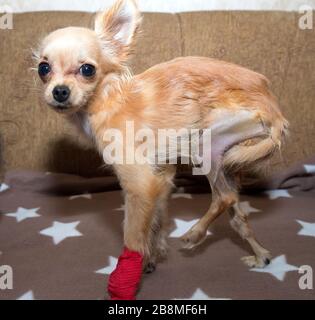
(227,129)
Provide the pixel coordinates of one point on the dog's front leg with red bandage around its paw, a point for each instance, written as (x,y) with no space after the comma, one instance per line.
(142,187)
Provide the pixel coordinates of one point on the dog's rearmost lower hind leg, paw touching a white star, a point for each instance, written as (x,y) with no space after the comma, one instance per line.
(240,224)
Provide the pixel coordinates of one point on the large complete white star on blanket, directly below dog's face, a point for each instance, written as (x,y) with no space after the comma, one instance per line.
(60,231)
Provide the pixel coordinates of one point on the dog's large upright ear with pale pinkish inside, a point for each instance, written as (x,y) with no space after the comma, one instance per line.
(117,27)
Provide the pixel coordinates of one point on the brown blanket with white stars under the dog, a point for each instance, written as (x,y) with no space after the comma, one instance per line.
(61,235)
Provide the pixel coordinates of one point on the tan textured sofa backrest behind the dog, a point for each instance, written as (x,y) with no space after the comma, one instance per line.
(34,137)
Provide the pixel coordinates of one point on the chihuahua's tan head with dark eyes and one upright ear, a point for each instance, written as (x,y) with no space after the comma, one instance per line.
(73,61)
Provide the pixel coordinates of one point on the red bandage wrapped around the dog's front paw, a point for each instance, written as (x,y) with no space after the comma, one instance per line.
(124,280)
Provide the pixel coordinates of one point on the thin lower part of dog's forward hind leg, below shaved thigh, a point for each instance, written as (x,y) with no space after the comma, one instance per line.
(223,197)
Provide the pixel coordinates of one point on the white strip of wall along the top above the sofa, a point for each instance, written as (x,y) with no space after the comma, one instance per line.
(171,6)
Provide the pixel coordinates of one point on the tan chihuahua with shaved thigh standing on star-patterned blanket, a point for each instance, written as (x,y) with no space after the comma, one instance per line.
(85,77)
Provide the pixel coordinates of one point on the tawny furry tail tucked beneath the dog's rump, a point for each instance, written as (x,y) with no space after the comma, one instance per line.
(240,155)
